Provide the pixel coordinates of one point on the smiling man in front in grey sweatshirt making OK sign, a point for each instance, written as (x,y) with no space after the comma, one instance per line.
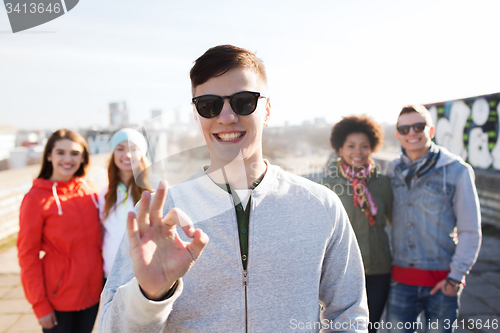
(282,254)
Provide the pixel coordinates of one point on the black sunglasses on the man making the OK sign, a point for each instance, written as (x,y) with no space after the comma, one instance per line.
(243,103)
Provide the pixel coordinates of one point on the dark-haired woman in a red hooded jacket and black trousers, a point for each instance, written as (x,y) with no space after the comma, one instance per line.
(59,219)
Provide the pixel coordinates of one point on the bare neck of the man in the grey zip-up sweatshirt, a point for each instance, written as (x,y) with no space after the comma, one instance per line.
(239,173)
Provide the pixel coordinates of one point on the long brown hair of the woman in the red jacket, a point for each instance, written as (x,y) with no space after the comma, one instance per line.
(47,169)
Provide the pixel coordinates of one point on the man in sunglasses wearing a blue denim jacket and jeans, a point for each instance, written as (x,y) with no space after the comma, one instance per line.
(436,232)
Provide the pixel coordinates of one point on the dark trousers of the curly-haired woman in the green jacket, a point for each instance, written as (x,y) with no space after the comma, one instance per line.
(377,289)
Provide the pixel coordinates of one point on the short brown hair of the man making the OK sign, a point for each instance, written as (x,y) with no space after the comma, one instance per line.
(220,59)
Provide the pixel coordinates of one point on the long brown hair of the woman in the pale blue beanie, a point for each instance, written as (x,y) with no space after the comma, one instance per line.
(114,180)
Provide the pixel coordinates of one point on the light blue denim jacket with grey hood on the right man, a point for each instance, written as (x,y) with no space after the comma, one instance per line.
(436,223)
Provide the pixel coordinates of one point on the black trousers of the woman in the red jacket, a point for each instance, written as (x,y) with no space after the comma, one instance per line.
(75,321)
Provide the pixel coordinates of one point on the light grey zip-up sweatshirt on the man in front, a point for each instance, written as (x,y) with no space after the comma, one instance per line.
(304,269)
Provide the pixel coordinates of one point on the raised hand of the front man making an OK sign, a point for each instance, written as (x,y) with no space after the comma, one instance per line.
(159,256)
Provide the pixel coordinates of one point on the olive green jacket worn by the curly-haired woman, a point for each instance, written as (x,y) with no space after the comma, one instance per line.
(373,241)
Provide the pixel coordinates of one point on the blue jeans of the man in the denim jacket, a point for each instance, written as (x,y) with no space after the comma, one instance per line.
(407,302)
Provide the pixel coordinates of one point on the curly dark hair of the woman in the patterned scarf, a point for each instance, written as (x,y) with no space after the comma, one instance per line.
(357,124)
